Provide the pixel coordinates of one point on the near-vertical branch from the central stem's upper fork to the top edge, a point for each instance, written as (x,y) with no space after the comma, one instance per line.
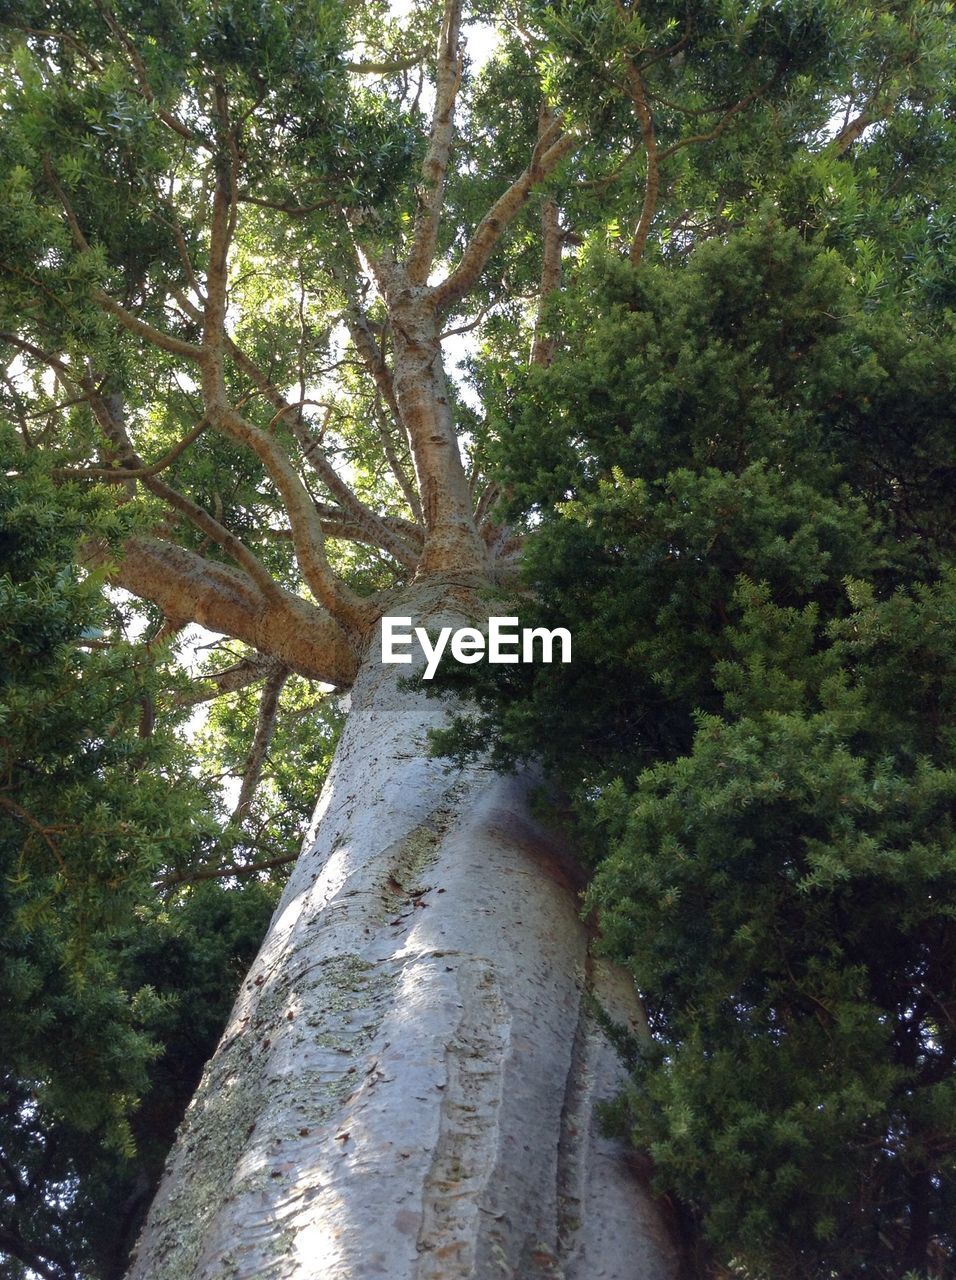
(436,164)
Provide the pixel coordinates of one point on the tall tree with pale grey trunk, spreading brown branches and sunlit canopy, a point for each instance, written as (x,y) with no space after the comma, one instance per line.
(235,241)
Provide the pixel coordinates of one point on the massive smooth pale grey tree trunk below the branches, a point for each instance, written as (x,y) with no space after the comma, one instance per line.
(408,1085)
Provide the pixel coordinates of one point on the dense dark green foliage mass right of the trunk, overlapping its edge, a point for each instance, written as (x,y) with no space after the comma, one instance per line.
(743,483)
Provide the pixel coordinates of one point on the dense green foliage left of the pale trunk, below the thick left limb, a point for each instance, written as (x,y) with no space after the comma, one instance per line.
(112,994)
